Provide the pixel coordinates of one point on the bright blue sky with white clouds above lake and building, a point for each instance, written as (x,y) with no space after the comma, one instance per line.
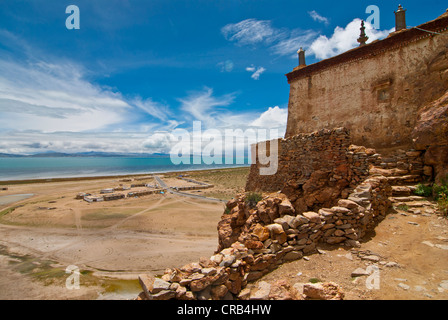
(136,70)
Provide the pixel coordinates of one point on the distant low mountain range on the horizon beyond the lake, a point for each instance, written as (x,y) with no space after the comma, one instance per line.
(52,154)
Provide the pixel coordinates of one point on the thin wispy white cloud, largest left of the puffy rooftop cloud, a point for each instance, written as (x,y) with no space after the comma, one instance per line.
(249,31)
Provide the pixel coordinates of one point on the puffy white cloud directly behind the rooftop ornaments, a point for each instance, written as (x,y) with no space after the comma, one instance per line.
(344,39)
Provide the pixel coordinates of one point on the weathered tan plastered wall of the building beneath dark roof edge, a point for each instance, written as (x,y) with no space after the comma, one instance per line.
(375,91)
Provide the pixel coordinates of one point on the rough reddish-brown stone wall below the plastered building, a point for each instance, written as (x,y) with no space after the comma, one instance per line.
(314,170)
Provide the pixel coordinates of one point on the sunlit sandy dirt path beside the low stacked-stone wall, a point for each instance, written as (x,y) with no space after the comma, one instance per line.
(409,250)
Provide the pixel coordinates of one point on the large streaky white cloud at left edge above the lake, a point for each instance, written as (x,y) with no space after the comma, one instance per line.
(54,97)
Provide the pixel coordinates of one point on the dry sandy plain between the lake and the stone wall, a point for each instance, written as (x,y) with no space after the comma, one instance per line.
(111,242)
